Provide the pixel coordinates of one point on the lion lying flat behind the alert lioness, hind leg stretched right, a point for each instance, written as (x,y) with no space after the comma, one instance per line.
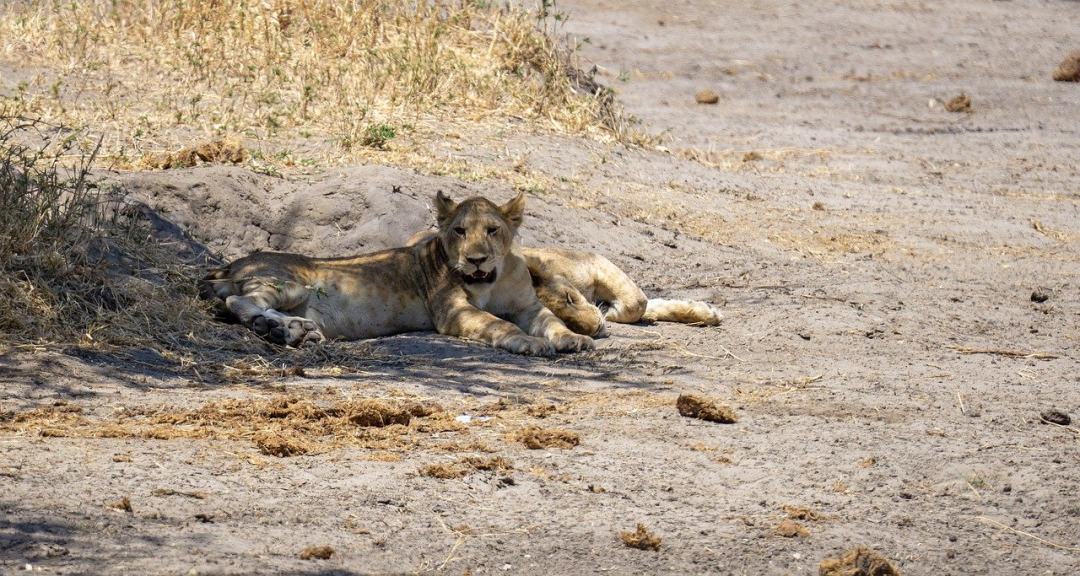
(586,291)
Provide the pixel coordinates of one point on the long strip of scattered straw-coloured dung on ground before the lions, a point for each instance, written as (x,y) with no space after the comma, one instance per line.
(282,426)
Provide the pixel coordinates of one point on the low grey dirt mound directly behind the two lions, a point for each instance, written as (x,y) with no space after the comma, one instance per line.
(349,211)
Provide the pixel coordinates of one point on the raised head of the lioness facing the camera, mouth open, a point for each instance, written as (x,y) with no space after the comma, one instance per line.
(477,235)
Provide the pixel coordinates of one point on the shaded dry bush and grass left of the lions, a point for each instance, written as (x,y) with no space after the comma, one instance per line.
(83,270)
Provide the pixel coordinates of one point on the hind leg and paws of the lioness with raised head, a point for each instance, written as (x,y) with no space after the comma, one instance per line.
(259,307)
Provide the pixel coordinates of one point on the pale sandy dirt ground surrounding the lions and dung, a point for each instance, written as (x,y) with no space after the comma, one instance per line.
(875,257)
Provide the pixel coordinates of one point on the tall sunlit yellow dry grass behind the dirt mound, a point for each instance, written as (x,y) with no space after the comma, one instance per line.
(359,76)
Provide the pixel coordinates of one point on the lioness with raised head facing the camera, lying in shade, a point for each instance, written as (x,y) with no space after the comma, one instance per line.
(468,280)
